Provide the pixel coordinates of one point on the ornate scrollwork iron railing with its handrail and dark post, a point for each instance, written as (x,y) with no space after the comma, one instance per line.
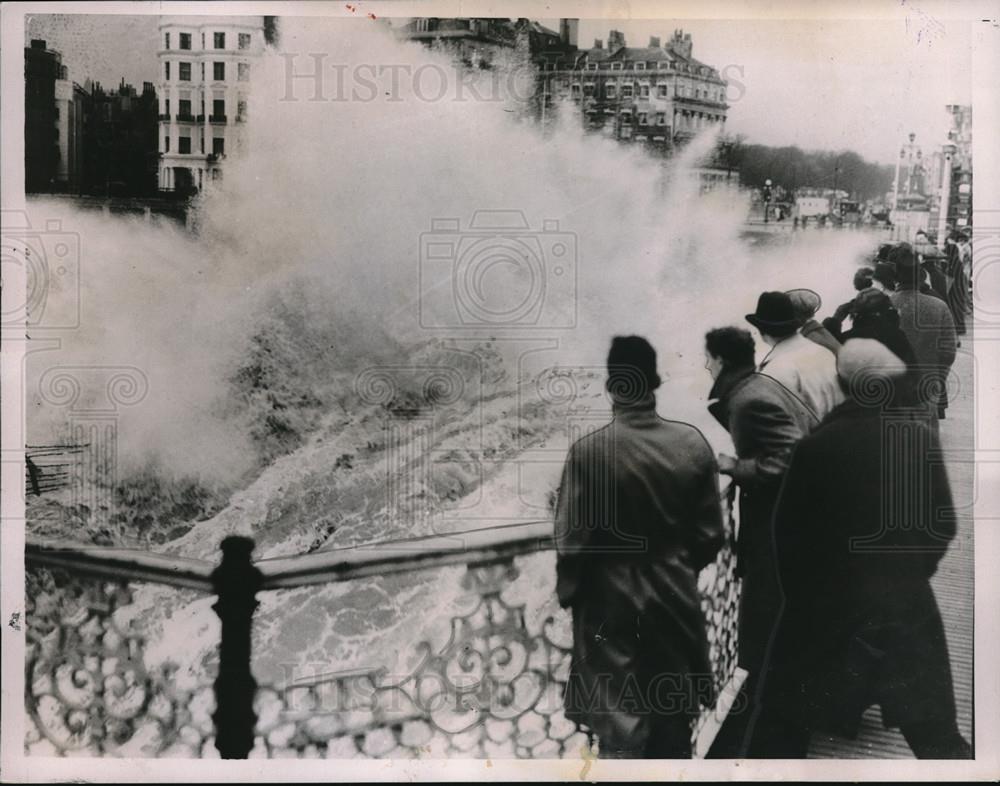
(494,689)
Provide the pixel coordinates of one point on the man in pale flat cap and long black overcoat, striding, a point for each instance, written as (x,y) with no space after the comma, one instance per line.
(864,517)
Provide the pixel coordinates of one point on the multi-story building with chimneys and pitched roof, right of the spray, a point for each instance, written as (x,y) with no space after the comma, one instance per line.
(658,94)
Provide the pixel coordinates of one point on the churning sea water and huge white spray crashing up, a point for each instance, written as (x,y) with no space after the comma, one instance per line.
(442,280)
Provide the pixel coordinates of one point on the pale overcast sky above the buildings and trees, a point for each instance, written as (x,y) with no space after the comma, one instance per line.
(817,84)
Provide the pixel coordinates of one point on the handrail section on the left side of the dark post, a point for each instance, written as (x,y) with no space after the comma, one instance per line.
(114,563)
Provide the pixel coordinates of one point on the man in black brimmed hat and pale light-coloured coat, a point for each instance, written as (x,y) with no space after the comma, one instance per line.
(805,368)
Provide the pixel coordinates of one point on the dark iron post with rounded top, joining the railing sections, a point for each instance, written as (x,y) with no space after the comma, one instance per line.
(236,582)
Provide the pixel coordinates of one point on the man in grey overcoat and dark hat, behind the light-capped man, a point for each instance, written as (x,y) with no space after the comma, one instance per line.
(927,322)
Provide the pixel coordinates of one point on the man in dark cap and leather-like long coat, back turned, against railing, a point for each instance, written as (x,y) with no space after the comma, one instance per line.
(638,516)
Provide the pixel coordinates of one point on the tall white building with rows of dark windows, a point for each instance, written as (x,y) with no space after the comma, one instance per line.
(205,65)
